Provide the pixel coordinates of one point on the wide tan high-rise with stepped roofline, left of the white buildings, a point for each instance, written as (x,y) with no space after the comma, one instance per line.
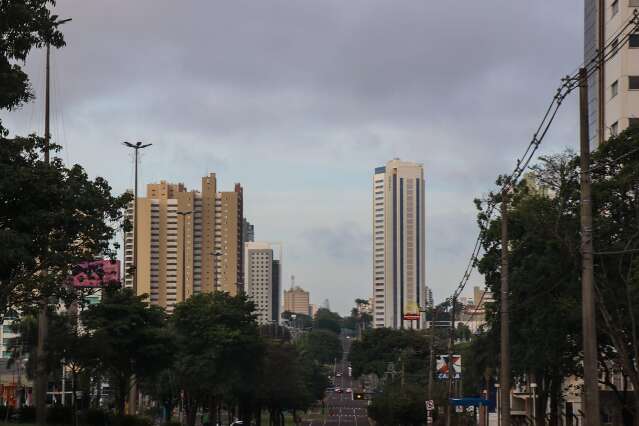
(189,242)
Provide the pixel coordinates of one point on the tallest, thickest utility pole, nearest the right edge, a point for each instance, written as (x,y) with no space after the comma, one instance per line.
(591,376)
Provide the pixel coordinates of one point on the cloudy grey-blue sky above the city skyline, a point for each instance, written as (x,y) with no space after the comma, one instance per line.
(300,100)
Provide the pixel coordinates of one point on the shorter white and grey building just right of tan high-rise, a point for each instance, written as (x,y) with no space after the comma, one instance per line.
(261,271)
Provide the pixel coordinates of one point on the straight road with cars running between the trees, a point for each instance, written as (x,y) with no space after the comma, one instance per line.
(340,408)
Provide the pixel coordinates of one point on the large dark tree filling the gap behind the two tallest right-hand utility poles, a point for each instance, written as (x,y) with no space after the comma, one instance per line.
(544,299)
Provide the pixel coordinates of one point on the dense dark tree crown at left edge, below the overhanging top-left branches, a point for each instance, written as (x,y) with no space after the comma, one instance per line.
(51,218)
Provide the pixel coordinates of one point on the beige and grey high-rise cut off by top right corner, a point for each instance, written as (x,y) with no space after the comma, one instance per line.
(613,97)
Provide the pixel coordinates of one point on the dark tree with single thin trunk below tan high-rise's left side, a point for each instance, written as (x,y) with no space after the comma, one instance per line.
(130,339)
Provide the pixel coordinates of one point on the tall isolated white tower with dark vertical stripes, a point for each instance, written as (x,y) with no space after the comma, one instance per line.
(398,244)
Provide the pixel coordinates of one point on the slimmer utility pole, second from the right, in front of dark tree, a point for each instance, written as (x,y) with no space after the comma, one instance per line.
(504,370)
